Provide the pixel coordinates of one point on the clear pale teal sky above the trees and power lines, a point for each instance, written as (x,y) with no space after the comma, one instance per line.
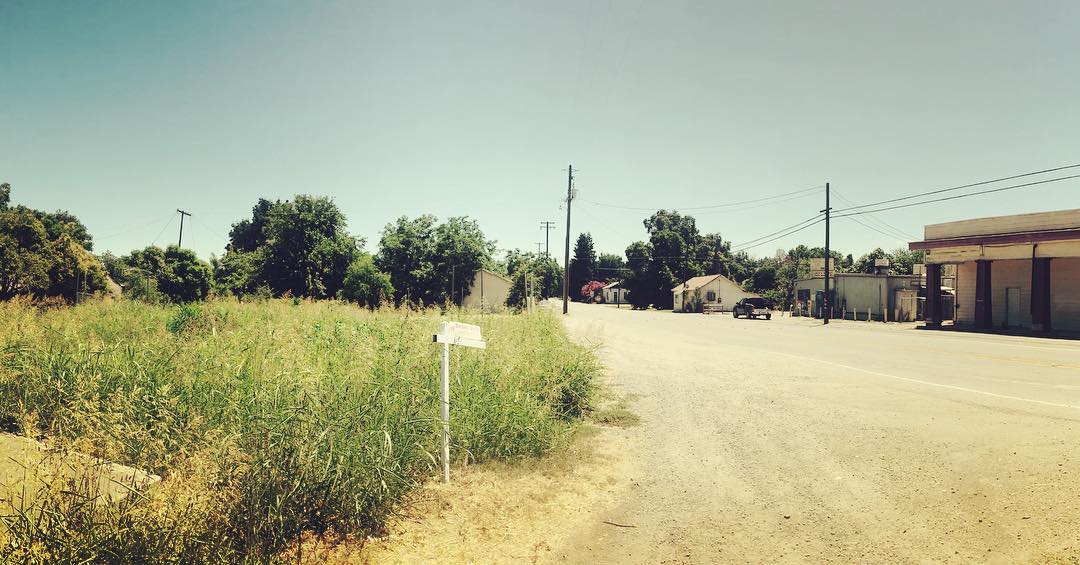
(124,112)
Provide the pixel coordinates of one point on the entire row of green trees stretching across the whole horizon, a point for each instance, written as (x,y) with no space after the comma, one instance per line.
(301,248)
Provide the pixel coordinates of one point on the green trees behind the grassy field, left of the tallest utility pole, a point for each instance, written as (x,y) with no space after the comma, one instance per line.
(296,248)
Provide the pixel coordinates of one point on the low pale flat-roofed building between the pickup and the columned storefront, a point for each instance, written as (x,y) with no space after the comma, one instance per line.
(861,297)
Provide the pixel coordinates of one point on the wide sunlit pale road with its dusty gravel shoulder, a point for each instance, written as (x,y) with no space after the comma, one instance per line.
(788,441)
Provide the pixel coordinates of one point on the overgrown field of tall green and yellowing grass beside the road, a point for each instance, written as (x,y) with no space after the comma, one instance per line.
(265,421)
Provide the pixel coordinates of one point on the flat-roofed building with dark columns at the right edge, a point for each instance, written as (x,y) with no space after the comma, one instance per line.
(1011,272)
